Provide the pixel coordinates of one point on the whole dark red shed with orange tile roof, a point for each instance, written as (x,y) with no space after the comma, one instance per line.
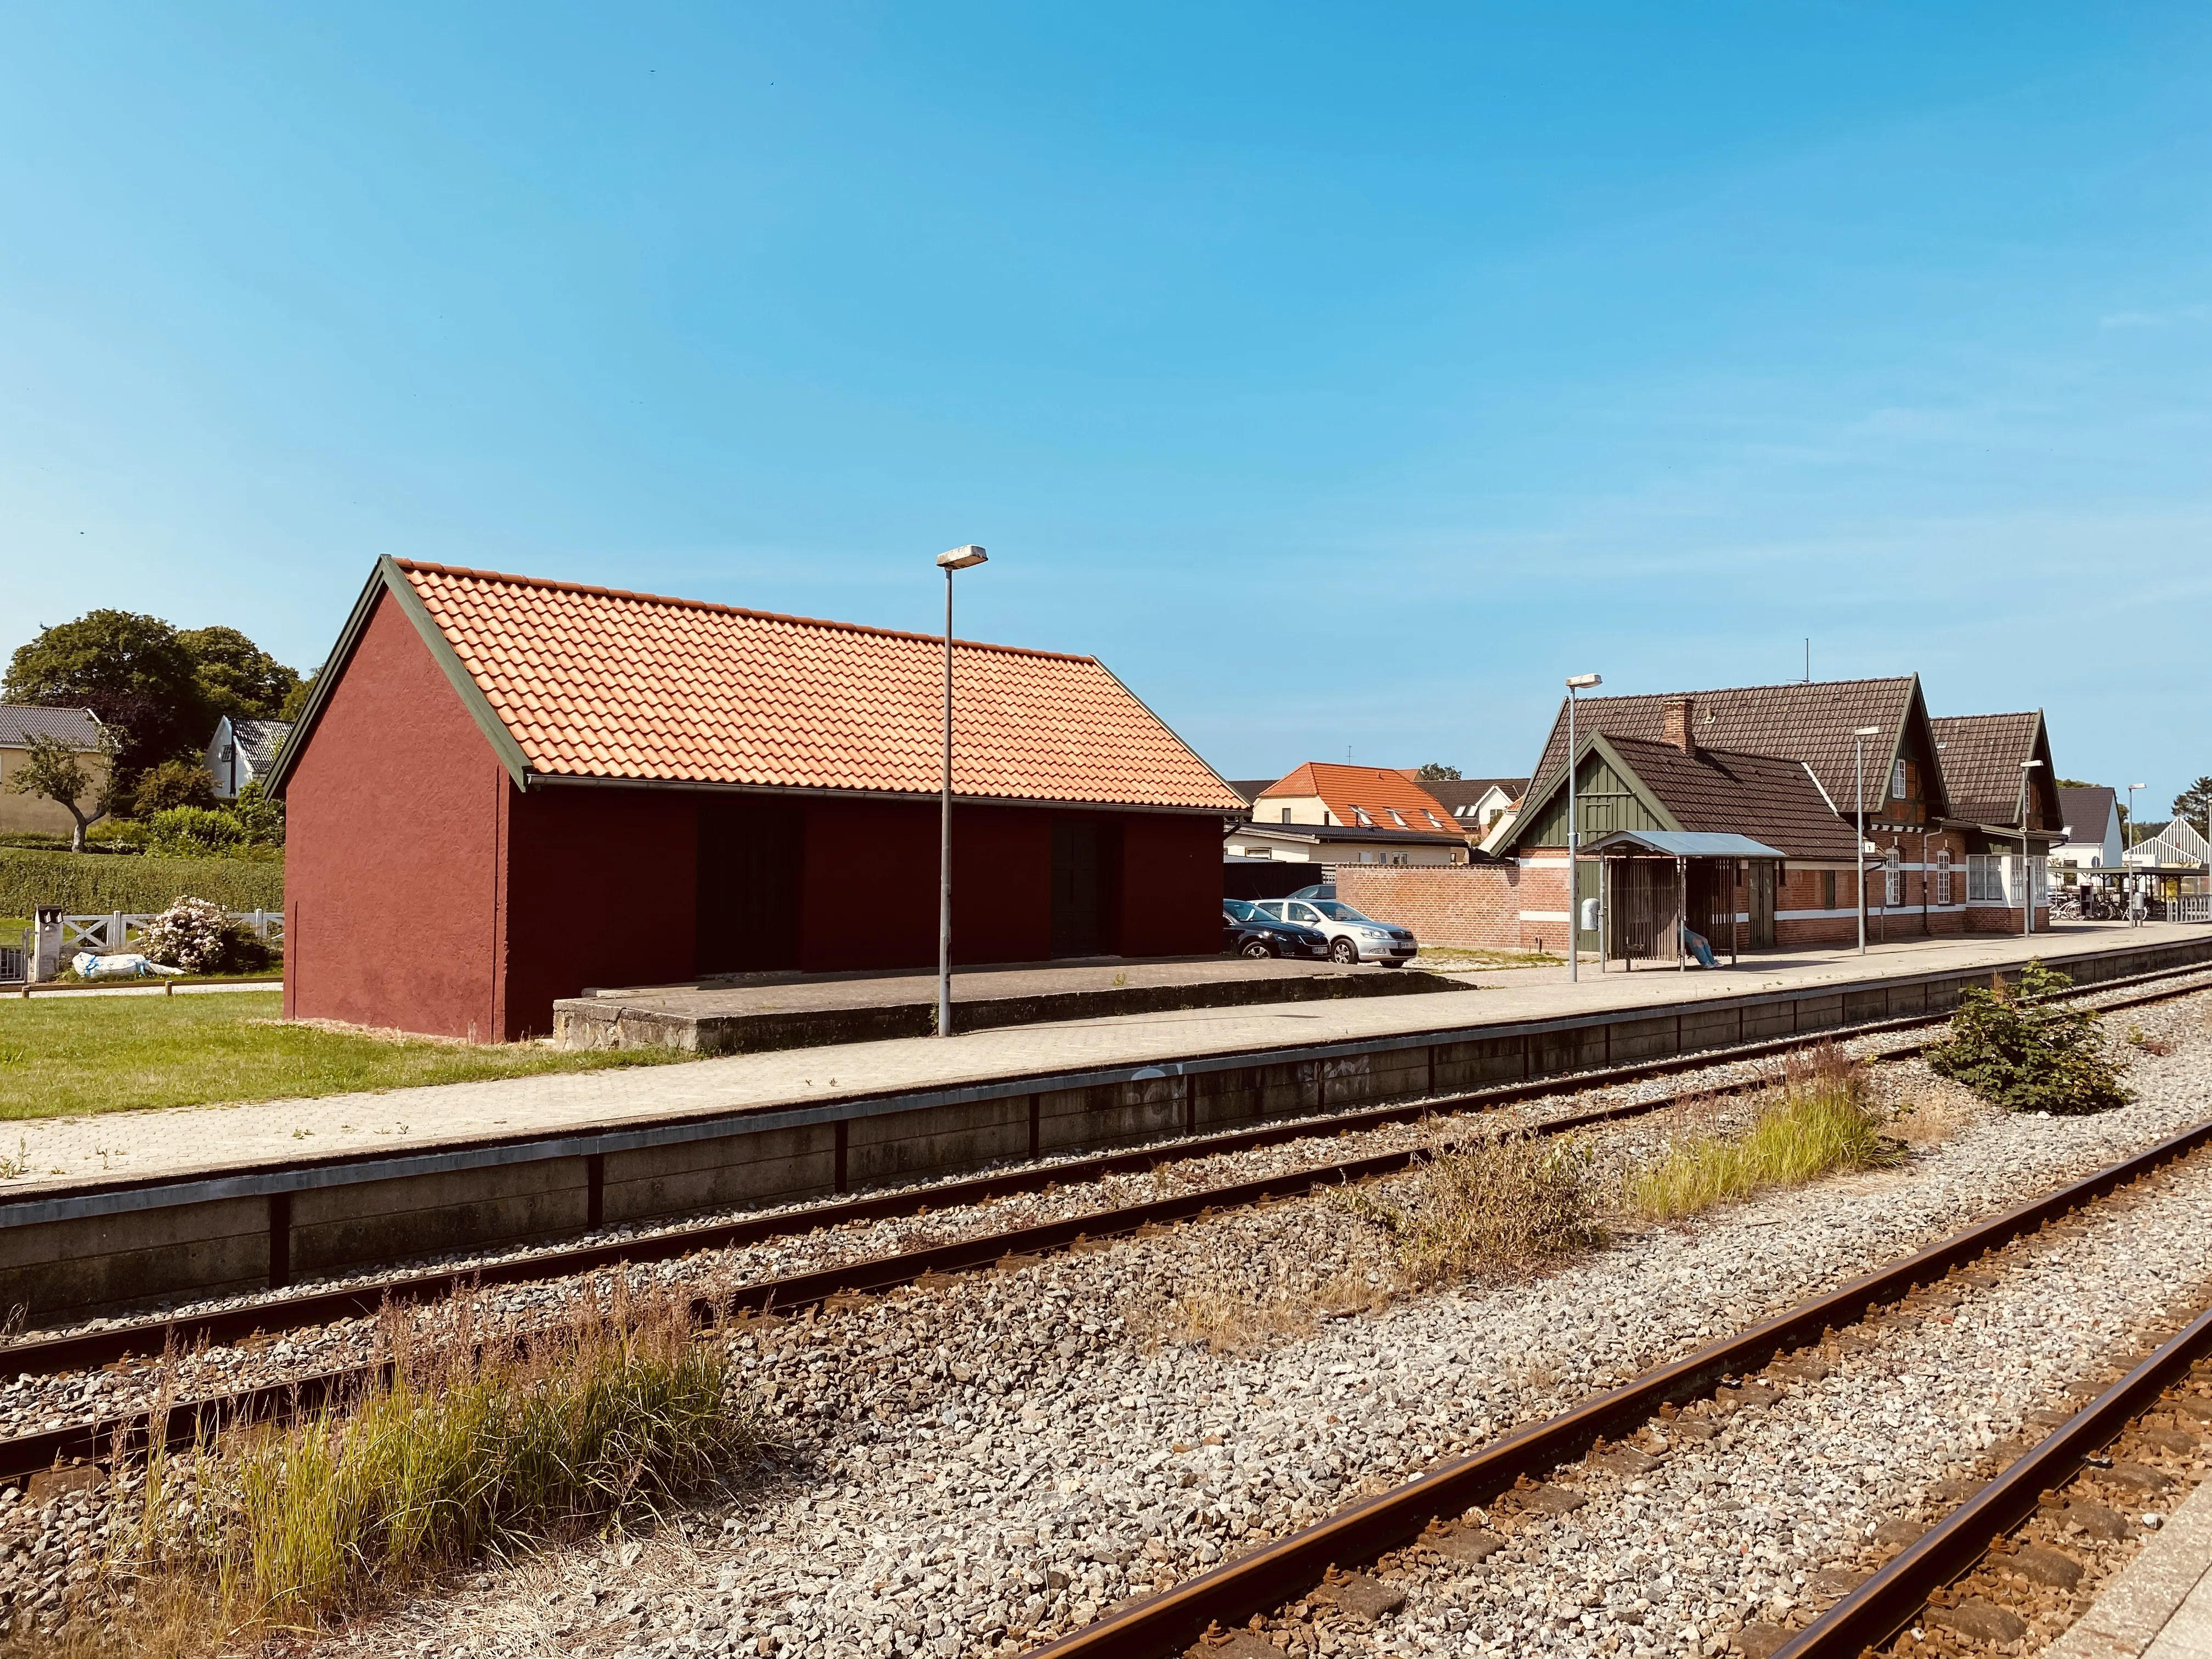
(508,791)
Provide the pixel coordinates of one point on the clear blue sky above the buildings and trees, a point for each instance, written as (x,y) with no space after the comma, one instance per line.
(1342,375)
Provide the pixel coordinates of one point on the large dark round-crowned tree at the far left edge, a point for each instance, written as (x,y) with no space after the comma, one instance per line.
(132,671)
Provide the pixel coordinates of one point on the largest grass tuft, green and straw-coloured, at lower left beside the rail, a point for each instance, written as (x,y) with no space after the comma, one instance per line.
(472,1446)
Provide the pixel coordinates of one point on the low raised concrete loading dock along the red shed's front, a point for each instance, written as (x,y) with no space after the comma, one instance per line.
(817,1010)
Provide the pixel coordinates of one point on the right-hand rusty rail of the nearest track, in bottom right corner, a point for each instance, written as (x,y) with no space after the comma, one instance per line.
(1888,1603)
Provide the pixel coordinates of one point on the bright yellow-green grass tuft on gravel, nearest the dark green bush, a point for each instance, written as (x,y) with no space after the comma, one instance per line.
(1817,1123)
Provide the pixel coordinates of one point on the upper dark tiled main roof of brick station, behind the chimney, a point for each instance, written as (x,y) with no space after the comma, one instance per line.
(1808,722)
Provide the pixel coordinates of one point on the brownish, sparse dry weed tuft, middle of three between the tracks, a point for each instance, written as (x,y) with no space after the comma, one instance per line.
(1499,1207)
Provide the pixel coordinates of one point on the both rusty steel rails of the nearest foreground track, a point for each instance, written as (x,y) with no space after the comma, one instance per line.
(1293,1567)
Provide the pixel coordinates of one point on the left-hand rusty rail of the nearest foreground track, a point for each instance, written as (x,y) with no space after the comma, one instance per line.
(1282,1572)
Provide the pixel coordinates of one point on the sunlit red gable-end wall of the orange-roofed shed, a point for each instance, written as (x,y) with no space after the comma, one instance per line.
(393,851)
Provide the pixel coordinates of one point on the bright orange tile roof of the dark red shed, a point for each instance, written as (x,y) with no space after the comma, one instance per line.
(596,682)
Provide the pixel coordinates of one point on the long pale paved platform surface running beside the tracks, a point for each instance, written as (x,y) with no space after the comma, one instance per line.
(187,1142)
